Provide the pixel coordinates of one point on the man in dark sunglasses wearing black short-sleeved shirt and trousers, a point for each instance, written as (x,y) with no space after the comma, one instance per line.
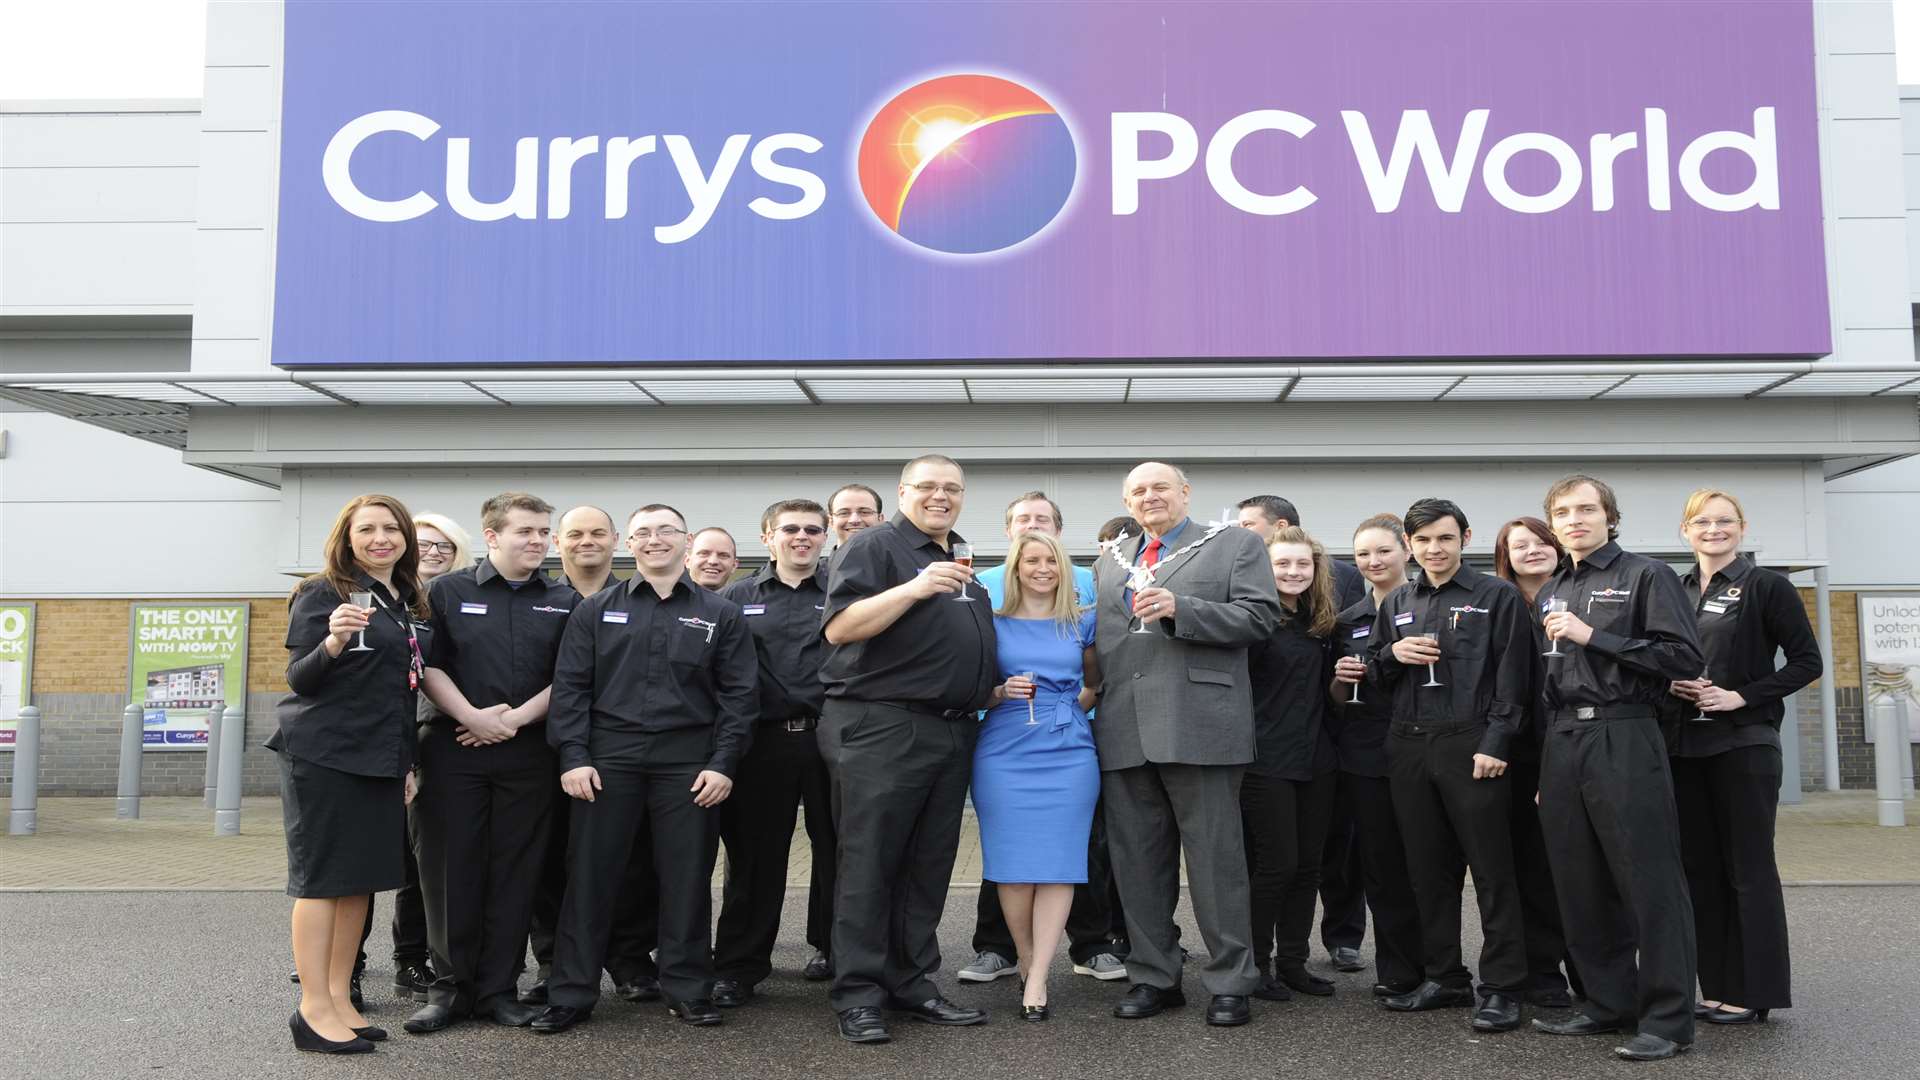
(782,606)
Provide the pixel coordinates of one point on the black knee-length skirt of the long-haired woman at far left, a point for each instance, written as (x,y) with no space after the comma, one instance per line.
(345,833)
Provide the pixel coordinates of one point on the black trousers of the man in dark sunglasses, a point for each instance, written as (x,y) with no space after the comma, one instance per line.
(779,775)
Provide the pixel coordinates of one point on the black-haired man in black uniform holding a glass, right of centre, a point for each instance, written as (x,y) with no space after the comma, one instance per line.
(1456,650)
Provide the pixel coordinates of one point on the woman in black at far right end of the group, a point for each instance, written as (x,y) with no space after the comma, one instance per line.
(1725,754)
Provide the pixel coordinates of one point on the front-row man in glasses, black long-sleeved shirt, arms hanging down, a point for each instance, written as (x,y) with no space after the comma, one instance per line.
(654,702)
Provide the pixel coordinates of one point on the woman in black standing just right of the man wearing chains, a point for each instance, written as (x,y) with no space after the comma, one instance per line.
(1287,793)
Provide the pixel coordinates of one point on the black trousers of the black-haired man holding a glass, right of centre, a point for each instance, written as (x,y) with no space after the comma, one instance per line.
(1449,823)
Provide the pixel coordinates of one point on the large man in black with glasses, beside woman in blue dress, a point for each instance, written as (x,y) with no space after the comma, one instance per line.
(907,670)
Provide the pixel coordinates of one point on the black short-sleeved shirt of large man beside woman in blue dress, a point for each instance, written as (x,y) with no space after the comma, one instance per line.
(938,656)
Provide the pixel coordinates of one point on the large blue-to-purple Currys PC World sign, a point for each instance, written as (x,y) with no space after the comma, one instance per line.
(790,182)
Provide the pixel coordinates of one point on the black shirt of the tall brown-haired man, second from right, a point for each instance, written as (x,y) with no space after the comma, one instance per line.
(1644,635)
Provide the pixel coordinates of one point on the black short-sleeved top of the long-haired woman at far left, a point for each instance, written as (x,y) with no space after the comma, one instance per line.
(354,712)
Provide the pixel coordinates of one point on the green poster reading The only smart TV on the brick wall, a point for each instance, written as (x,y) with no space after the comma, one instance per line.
(187,658)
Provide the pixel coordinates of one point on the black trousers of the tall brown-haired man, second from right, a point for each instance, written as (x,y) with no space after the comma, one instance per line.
(1614,839)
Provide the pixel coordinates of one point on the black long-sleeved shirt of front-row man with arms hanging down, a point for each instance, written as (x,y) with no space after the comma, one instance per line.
(648,681)
